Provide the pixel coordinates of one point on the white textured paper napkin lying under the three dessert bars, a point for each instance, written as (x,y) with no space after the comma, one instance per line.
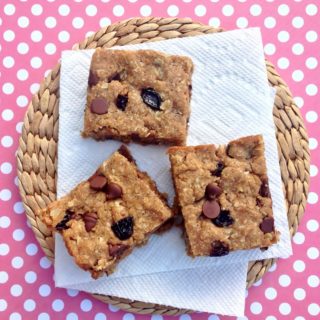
(229,87)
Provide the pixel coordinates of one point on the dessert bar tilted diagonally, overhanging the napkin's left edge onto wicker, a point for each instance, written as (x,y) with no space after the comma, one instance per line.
(104,218)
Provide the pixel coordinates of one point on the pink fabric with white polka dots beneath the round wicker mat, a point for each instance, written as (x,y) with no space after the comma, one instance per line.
(33,34)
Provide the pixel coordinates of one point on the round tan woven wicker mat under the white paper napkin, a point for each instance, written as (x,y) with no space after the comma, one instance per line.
(37,153)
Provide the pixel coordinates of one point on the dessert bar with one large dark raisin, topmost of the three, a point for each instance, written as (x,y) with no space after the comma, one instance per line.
(141,96)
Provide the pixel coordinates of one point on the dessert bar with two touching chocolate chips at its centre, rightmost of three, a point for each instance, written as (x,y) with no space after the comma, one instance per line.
(224,196)
